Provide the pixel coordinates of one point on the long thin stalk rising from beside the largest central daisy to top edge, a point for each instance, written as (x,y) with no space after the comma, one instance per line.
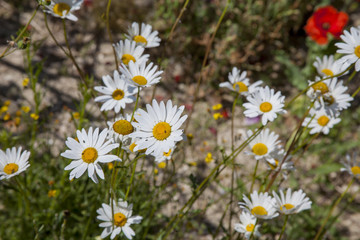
(208,47)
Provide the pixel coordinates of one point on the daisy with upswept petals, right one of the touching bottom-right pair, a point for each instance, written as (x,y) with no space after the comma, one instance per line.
(291,203)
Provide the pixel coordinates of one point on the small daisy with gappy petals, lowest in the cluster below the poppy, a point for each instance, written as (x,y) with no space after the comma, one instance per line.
(320,121)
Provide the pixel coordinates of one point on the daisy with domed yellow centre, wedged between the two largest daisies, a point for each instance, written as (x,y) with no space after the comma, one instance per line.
(120,128)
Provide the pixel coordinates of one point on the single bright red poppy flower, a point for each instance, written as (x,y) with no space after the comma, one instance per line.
(326,20)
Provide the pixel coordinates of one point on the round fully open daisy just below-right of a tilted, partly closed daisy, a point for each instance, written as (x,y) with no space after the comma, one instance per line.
(264,102)
